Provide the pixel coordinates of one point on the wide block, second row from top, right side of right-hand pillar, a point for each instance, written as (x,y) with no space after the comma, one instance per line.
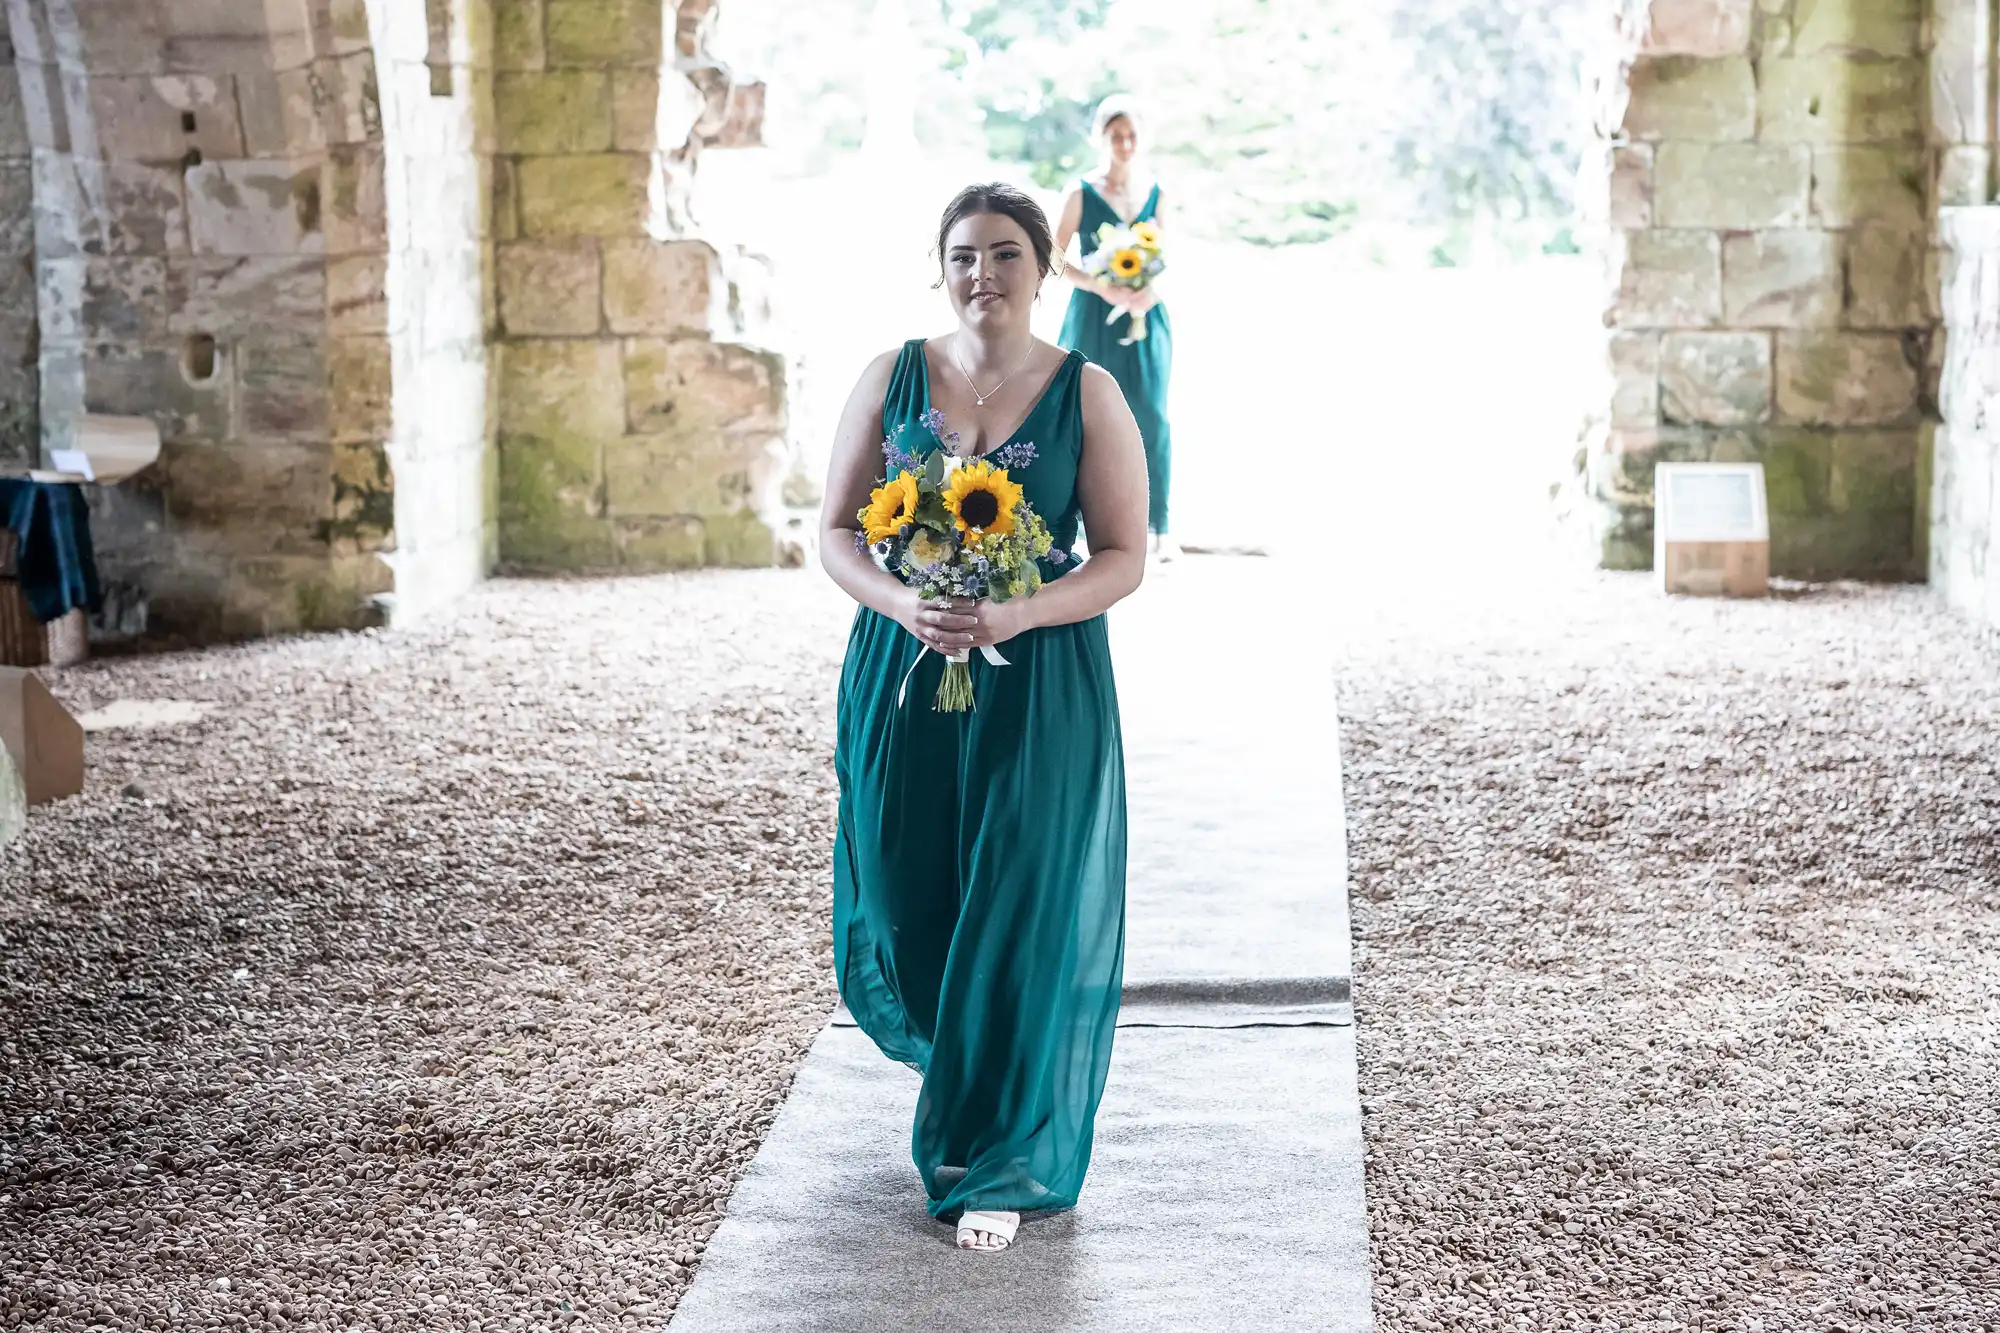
(1839,101)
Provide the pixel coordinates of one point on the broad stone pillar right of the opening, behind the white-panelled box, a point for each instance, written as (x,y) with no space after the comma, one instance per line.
(1771,215)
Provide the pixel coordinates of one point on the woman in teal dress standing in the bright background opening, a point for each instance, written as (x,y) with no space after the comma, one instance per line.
(1089,327)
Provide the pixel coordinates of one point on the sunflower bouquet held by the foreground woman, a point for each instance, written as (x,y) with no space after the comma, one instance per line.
(957,527)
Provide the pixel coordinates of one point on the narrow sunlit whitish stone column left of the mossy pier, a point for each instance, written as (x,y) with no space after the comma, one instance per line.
(423,313)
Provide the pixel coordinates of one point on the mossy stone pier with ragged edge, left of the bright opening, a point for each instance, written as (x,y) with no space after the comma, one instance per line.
(641,425)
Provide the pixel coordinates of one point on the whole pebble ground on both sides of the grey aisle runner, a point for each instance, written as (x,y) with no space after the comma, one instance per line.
(449,980)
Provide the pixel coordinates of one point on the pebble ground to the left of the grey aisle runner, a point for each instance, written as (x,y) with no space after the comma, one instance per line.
(431,982)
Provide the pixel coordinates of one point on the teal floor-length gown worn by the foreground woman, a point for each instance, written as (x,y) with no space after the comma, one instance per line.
(979,862)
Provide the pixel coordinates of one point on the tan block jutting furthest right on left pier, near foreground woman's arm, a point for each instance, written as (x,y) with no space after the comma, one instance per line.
(701,387)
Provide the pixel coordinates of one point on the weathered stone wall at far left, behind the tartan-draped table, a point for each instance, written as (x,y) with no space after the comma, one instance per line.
(199,171)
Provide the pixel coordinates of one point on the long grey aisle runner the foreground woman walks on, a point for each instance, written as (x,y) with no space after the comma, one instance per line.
(1227,1184)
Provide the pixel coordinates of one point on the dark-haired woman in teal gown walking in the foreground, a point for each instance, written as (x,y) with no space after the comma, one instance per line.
(979,858)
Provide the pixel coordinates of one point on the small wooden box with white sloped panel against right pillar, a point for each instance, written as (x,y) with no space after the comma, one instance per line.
(1711,531)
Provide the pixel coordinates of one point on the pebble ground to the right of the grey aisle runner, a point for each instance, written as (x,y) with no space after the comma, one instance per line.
(1679,960)
